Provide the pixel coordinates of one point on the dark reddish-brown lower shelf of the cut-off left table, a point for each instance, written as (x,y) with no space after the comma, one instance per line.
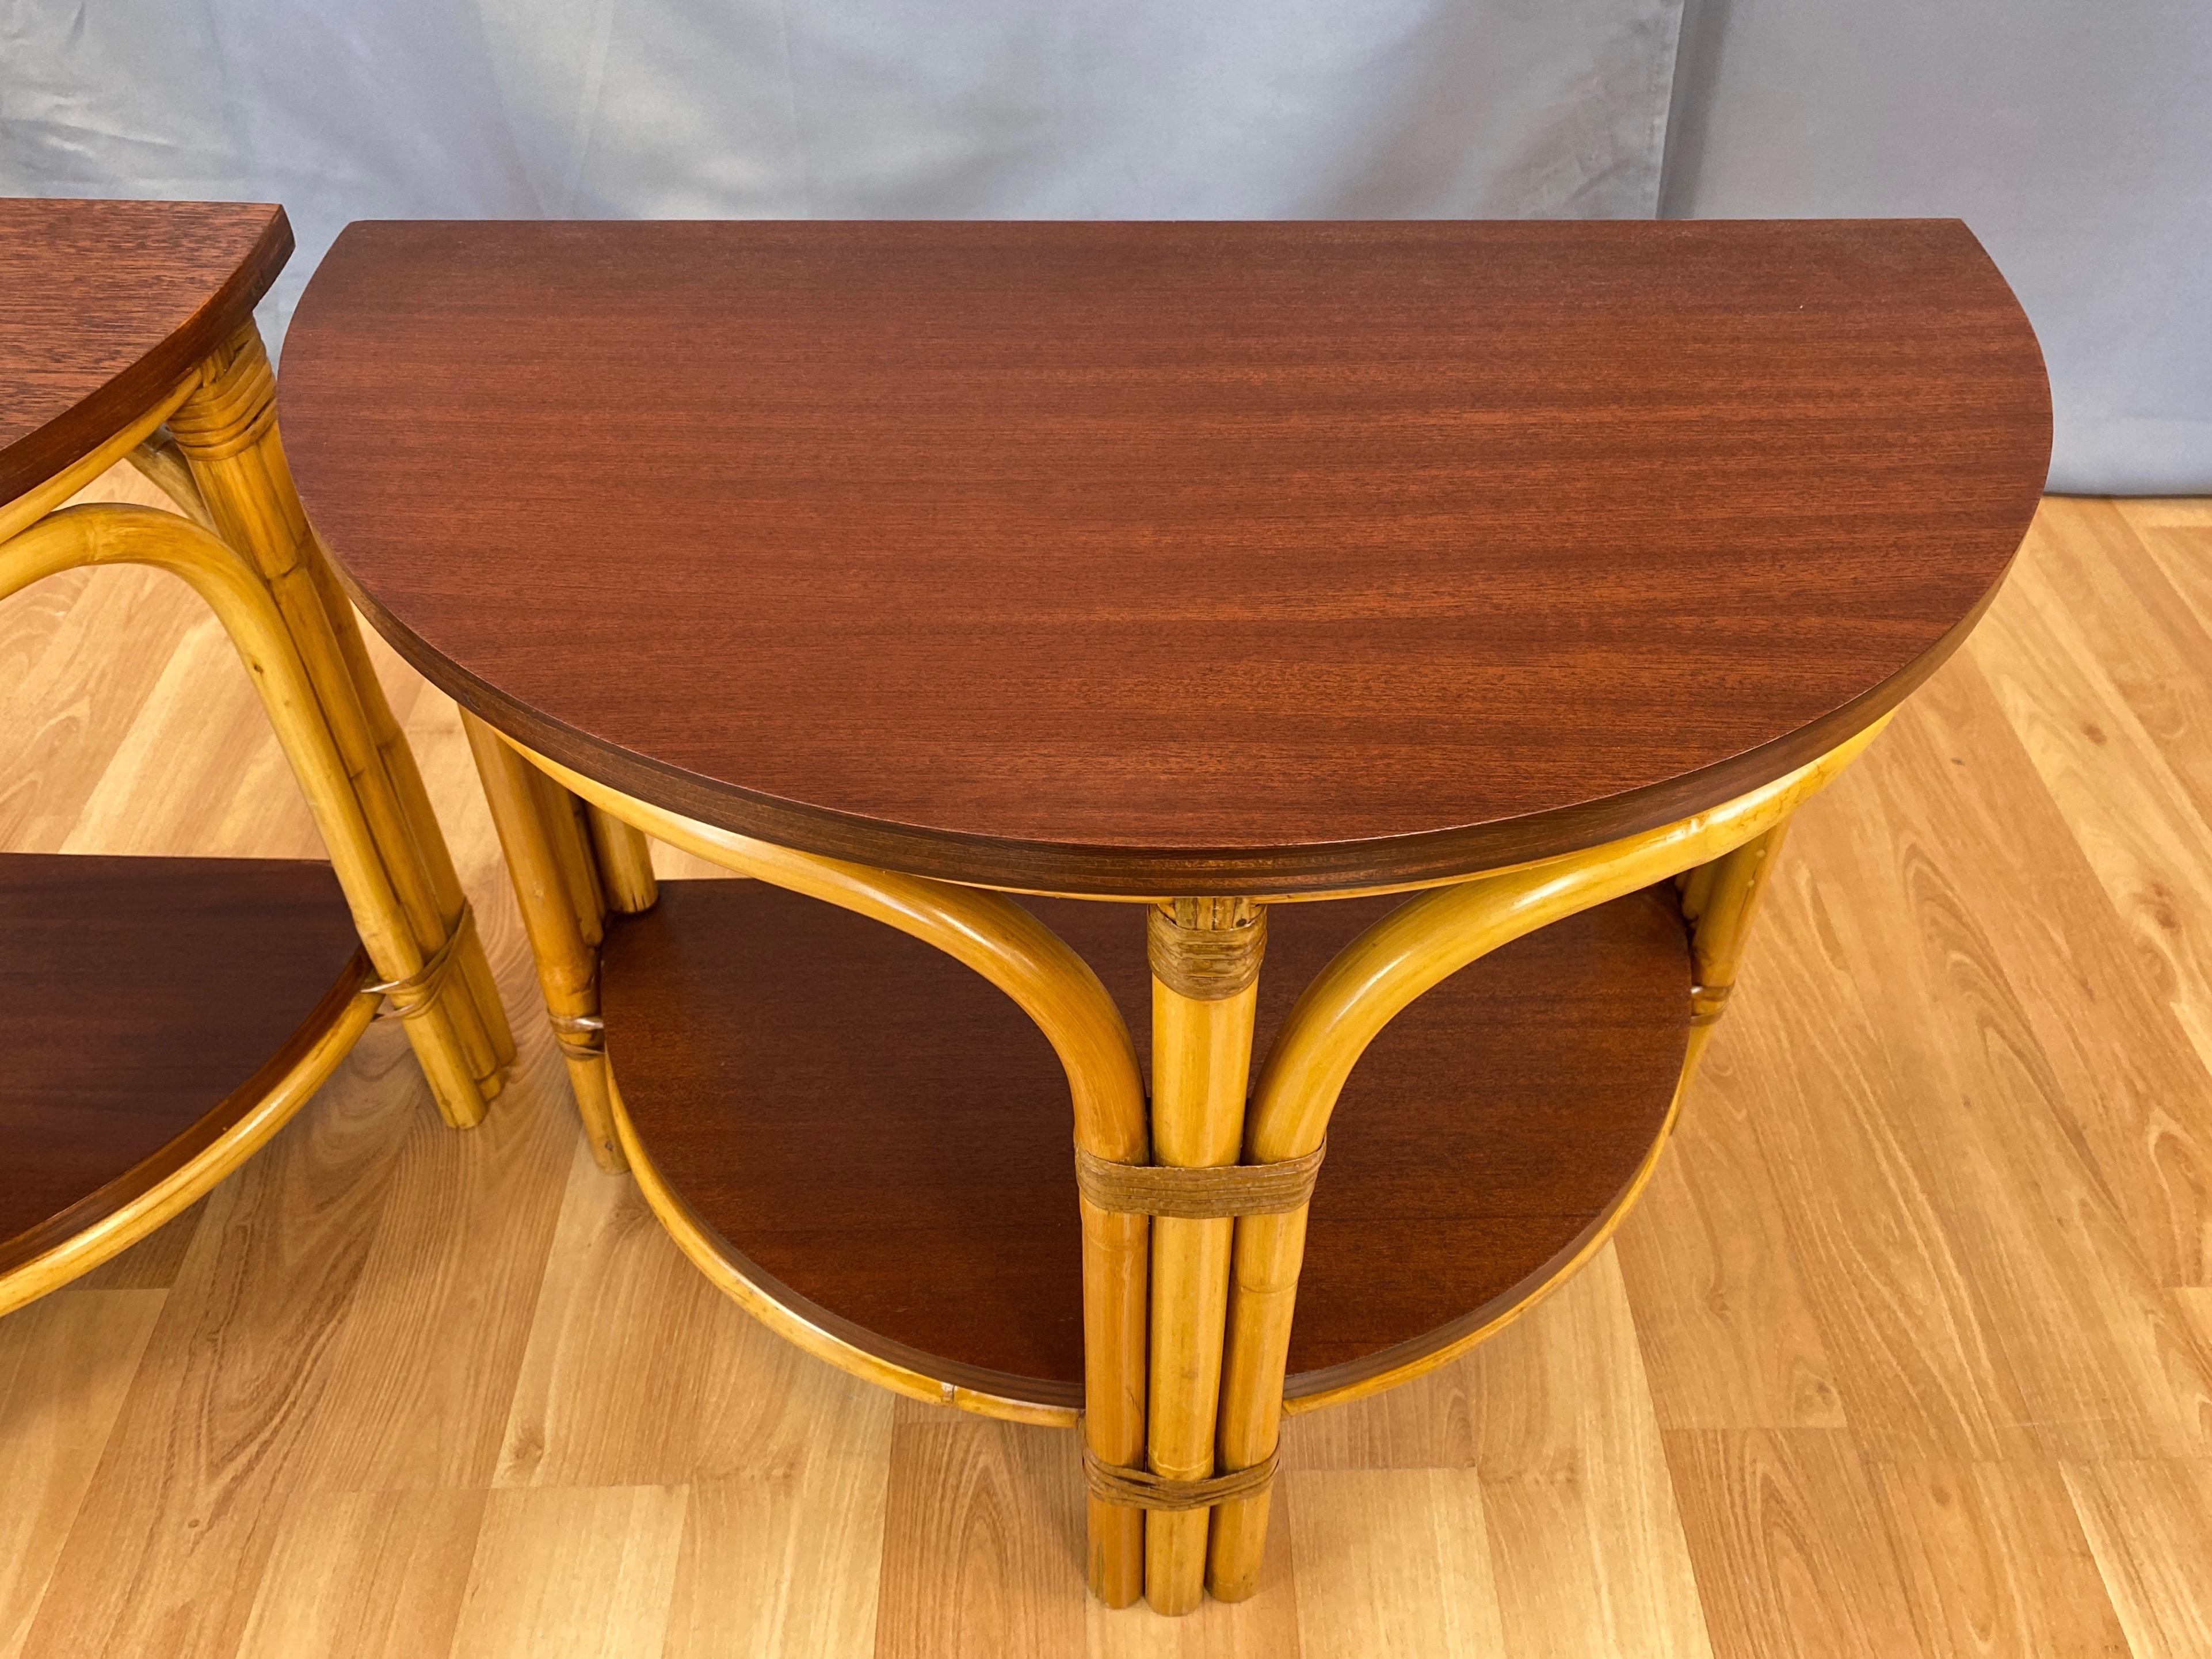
(149,1005)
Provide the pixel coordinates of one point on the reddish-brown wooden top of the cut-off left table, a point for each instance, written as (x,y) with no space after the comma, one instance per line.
(107,304)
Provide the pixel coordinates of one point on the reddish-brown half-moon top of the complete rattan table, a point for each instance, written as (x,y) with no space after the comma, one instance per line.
(1171,559)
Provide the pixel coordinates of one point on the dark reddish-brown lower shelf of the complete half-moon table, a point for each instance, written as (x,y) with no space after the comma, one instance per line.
(912,1171)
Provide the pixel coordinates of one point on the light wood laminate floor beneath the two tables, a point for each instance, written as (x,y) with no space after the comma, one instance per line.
(1908,1350)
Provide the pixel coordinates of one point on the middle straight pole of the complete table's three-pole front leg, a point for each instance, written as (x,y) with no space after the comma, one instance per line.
(1204,988)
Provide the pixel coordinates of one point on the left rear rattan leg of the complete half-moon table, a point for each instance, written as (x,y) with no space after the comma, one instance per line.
(541,857)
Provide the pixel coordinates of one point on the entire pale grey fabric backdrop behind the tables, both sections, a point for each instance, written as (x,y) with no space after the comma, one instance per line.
(2078,143)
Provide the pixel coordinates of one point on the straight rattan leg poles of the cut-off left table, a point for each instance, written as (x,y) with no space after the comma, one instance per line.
(227,432)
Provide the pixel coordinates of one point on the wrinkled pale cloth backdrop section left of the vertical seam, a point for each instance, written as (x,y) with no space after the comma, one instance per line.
(990,109)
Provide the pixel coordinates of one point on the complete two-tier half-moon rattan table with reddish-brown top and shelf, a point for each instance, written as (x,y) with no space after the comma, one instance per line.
(1123,651)
